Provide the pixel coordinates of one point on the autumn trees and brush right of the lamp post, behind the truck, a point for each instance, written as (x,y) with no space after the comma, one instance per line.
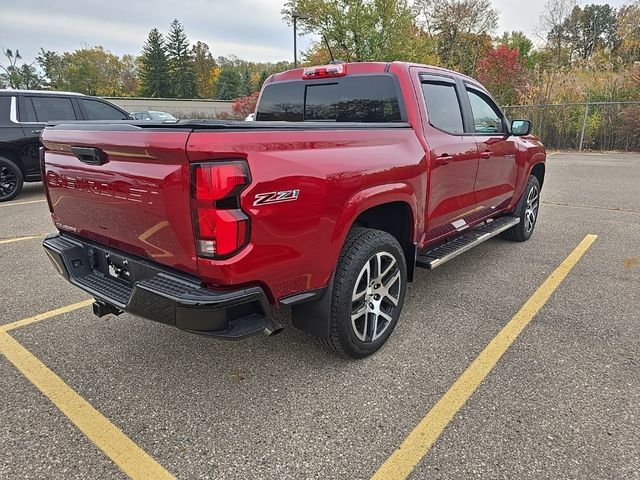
(585,53)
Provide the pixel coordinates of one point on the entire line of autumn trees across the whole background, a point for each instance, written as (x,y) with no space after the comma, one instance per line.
(588,53)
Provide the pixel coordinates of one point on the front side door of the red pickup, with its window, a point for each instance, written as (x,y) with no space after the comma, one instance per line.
(497,169)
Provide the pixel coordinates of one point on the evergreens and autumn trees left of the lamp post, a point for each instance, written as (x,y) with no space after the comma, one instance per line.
(169,66)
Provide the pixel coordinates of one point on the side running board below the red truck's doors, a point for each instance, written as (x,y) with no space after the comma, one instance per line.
(443,253)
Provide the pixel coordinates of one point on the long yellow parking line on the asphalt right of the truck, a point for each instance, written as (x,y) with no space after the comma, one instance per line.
(406,457)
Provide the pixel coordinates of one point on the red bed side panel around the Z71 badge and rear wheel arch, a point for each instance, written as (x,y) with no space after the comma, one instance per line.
(340,173)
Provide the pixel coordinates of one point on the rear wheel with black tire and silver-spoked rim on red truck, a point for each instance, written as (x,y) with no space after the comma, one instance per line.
(376,249)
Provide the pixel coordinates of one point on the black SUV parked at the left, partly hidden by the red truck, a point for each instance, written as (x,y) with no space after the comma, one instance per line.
(23,115)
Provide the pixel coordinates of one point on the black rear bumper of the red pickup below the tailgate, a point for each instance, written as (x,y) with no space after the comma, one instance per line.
(154,293)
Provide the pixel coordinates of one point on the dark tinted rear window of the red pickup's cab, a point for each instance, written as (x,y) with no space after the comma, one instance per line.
(370,98)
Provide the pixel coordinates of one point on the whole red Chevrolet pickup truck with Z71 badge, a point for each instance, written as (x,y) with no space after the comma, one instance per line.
(351,177)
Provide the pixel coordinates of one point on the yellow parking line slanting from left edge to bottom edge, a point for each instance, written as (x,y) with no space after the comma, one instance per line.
(131,459)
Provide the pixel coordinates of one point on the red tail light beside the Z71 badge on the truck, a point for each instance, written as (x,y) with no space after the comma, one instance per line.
(221,227)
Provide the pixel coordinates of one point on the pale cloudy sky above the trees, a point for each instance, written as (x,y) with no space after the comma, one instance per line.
(250,29)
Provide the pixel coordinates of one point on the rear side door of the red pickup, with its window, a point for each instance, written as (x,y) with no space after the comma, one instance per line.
(453,157)
